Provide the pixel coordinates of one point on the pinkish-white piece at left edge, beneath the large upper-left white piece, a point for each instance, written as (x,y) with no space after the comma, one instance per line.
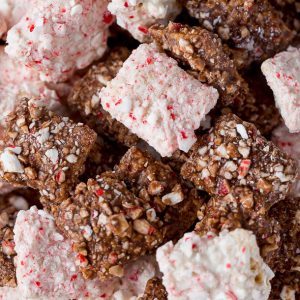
(18,81)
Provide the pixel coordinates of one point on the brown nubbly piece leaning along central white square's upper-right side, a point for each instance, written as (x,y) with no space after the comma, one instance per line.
(204,53)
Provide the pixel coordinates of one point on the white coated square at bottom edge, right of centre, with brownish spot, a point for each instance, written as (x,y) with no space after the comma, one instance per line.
(210,267)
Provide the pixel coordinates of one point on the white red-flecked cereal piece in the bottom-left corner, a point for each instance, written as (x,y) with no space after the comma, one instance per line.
(46,264)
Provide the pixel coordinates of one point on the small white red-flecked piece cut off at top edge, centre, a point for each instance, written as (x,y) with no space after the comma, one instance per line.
(137,16)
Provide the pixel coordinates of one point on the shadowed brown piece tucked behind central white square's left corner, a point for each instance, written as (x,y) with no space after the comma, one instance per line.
(84,98)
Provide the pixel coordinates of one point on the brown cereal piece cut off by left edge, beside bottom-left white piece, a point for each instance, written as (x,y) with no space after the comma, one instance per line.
(9,207)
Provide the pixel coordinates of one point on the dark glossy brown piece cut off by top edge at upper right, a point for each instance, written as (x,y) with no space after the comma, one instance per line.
(254,26)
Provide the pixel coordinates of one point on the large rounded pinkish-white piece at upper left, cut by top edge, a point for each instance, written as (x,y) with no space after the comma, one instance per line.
(57,37)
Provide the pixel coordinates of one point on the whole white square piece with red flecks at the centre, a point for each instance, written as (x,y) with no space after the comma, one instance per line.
(157,100)
